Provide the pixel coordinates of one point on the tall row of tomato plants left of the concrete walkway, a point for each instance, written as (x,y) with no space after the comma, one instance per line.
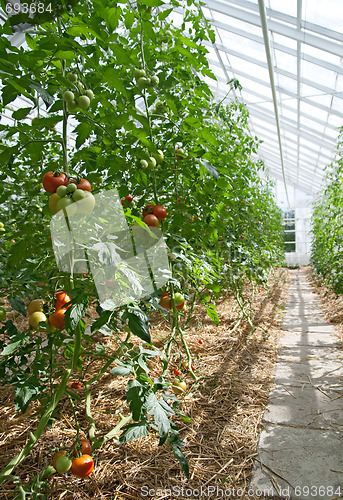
(114,95)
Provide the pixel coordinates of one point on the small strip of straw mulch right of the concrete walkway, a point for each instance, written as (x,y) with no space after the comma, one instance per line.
(332,304)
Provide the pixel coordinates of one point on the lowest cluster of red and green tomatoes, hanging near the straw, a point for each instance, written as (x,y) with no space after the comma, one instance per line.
(77,459)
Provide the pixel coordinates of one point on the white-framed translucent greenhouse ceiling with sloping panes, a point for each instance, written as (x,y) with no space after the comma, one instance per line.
(287,56)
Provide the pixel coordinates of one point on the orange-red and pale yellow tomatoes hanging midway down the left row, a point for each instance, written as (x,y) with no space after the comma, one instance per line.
(56,320)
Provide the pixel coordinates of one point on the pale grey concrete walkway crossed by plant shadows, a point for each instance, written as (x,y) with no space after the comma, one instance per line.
(300,453)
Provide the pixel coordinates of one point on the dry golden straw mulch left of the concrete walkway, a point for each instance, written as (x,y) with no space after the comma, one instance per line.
(226,404)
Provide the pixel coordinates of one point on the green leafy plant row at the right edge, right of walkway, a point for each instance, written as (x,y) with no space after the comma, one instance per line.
(327,250)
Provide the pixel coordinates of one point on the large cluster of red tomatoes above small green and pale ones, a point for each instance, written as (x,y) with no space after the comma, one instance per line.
(65,191)
